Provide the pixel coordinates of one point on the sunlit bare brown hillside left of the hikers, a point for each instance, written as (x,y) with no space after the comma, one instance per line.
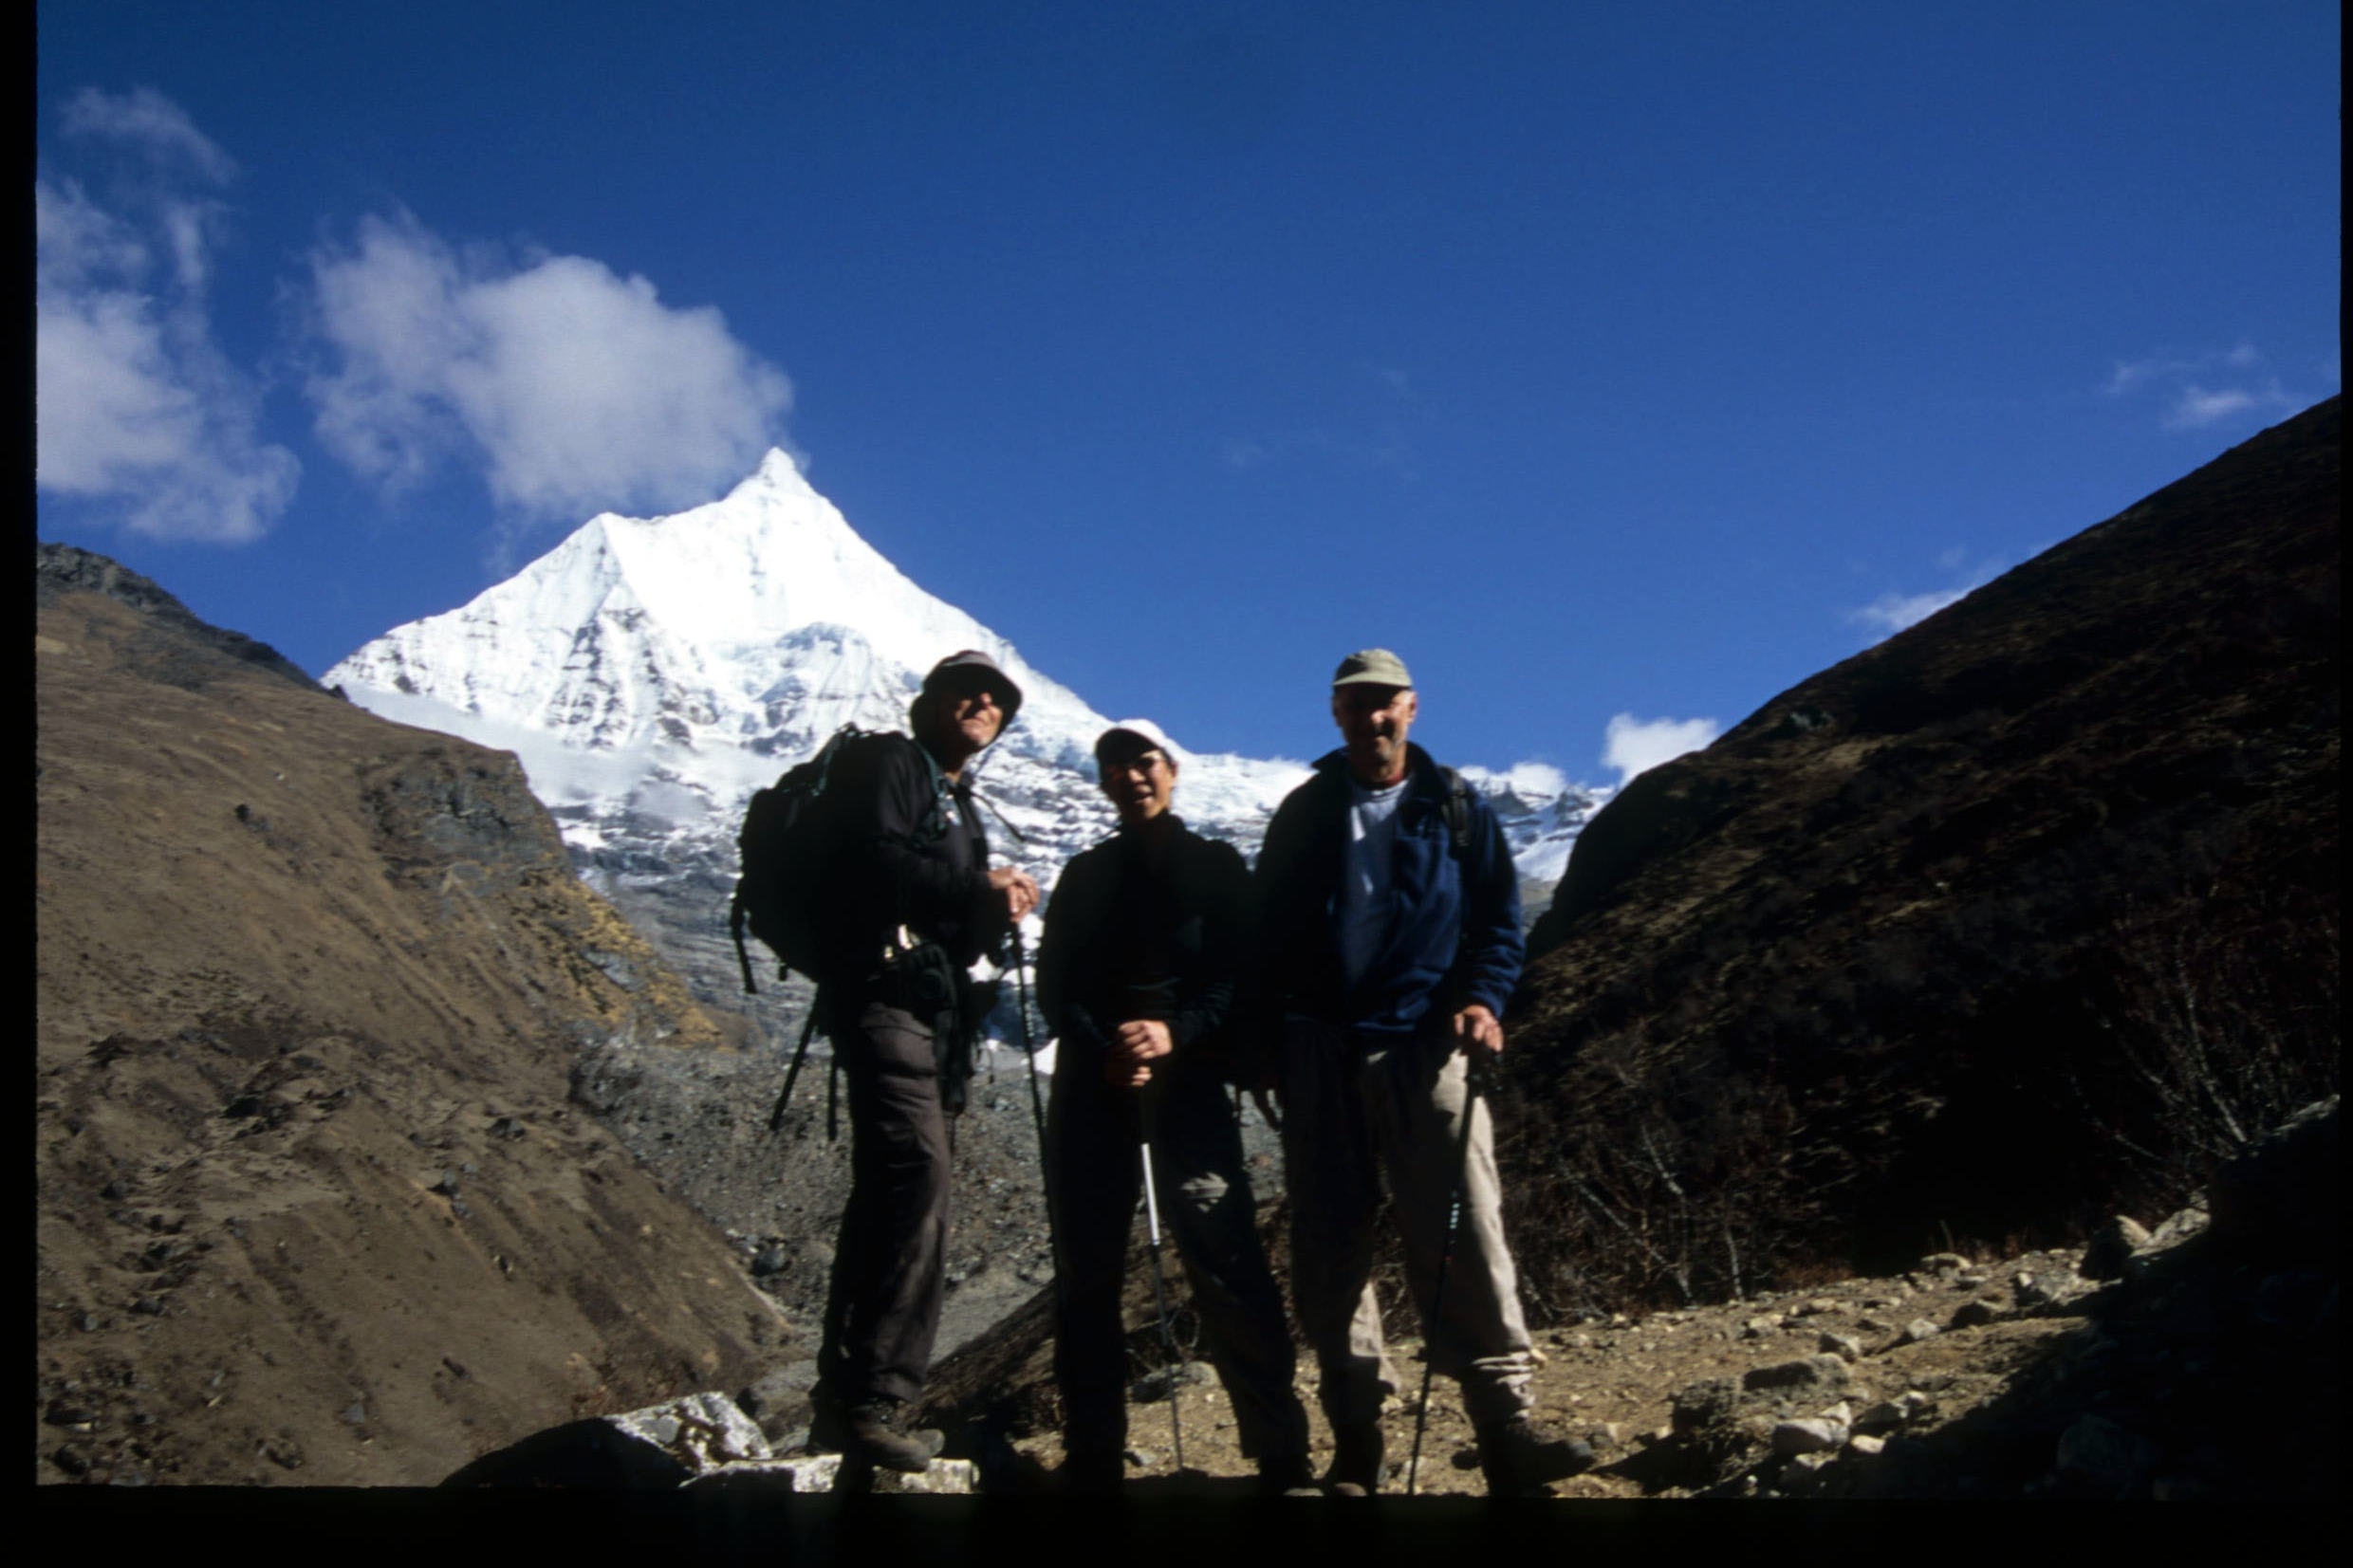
(309,993)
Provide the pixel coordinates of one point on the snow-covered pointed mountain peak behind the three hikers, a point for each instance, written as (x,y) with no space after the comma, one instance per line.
(655,671)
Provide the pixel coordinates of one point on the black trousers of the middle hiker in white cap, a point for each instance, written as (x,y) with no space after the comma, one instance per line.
(1095,1179)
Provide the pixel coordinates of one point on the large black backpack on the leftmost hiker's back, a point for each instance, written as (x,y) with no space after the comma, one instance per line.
(787,847)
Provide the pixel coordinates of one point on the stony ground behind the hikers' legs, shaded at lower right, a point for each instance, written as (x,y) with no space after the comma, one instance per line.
(2171,1362)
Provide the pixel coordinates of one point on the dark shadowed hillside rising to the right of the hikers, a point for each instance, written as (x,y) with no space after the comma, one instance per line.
(2018,918)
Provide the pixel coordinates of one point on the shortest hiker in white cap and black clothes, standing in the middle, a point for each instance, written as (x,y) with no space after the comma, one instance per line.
(1142,951)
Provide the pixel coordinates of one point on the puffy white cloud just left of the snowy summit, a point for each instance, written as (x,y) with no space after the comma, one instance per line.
(575,389)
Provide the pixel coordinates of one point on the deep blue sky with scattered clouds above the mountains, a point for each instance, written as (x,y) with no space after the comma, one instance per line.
(1620,366)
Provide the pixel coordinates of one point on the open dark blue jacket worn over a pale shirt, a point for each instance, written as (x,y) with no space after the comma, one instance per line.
(1453,930)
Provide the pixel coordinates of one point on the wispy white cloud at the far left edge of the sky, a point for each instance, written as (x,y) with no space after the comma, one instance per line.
(138,413)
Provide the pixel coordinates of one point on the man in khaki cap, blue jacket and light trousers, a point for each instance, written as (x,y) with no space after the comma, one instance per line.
(1389,937)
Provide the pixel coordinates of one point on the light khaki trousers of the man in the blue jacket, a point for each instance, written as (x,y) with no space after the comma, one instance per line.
(1359,1106)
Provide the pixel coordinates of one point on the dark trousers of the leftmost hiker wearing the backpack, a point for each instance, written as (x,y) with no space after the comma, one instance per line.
(891,1259)
